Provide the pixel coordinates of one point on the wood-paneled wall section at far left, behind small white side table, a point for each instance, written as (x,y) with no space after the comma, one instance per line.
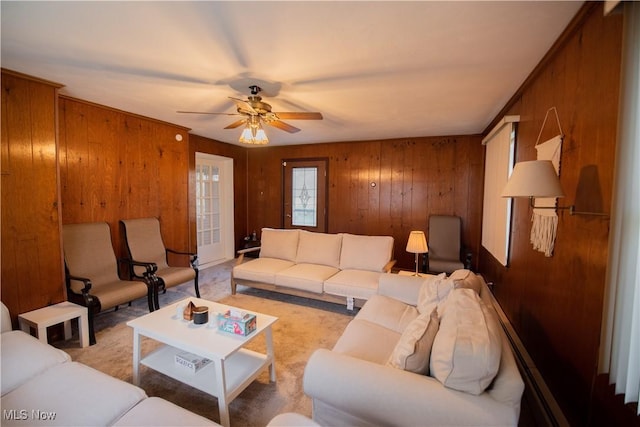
(32,269)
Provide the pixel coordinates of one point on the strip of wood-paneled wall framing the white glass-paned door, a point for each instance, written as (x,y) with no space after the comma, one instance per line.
(239,156)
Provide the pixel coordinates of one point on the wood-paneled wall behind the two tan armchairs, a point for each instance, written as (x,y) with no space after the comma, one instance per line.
(116,165)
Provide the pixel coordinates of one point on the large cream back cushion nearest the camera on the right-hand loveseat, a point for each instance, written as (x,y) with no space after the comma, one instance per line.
(467,349)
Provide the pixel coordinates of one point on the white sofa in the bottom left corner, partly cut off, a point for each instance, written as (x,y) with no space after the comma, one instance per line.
(42,386)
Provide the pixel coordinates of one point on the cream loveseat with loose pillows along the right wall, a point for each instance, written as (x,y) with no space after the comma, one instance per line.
(421,352)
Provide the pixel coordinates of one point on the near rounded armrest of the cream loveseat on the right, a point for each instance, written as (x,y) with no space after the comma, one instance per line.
(396,397)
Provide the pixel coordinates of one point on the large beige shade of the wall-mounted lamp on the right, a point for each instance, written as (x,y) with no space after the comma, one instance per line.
(535,178)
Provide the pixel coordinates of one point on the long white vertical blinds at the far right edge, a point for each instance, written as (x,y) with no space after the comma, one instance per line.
(620,336)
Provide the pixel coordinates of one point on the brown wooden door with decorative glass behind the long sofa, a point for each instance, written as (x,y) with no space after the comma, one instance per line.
(305,194)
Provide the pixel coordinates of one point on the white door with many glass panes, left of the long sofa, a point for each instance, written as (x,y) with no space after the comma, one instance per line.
(214,209)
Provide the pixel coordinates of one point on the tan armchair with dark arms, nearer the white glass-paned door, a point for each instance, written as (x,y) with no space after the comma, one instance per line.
(145,246)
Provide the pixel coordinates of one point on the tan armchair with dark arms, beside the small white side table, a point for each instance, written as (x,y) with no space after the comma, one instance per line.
(92,277)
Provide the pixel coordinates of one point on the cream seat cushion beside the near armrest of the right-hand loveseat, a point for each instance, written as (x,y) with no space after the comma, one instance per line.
(367,341)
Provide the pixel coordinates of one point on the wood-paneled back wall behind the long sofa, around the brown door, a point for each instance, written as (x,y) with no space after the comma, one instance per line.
(414,178)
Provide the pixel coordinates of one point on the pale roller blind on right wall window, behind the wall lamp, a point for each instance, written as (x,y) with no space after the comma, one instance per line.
(496,210)
